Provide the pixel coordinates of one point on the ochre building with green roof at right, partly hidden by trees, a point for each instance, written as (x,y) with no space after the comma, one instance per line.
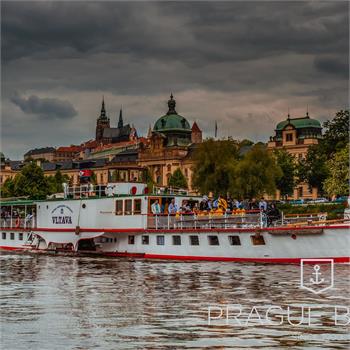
(296,135)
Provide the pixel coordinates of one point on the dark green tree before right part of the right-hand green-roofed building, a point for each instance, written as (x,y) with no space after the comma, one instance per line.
(313,169)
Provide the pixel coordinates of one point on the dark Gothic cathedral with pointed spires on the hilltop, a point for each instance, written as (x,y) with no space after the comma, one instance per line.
(106,135)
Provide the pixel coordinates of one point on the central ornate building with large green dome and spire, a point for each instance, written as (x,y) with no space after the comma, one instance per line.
(171,143)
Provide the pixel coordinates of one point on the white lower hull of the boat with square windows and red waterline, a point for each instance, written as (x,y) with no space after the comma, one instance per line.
(277,245)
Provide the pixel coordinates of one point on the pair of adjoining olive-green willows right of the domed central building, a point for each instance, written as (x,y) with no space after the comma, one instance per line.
(220,169)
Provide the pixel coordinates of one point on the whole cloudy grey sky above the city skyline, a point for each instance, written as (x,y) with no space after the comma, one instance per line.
(242,64)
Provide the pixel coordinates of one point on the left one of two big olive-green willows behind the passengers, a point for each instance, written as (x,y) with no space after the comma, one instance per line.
(214,163)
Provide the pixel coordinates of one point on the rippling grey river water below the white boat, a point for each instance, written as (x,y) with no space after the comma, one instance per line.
(58,302)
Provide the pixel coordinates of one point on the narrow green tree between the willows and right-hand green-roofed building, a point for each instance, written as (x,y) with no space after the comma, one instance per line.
(286,162)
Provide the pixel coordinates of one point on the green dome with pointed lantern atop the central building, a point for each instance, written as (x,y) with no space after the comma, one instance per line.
(172,121)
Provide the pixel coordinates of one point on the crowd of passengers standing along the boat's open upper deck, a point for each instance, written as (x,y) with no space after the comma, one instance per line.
(218,206)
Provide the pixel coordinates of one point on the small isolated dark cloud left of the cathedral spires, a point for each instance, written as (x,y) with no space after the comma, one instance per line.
(45,108)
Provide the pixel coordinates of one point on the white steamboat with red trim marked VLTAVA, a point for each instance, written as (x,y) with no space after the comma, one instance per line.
(117,220)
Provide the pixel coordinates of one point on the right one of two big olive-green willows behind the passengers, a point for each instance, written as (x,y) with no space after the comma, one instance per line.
(256,174)
